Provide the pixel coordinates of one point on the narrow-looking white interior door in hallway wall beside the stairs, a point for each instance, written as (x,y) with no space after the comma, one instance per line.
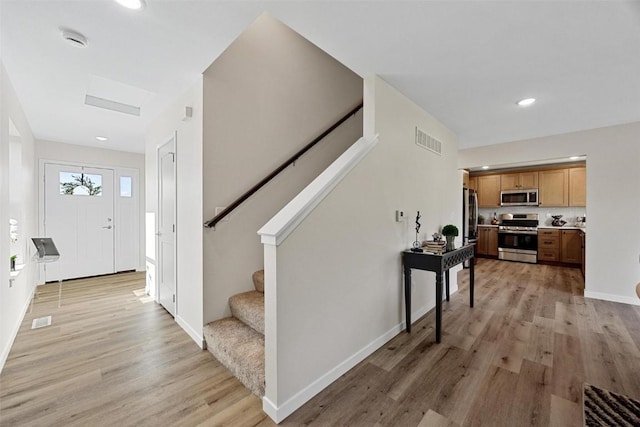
(167,226)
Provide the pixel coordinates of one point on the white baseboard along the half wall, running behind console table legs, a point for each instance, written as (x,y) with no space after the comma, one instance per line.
(279,413)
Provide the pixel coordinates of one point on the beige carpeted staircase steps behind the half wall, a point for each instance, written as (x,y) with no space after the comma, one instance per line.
(238,341)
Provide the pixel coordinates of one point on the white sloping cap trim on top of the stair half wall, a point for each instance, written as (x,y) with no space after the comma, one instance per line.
(284,222)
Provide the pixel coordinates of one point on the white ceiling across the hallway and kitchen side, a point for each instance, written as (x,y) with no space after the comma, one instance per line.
(465,62)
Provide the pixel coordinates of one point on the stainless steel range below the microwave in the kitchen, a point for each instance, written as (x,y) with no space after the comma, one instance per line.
(518,237)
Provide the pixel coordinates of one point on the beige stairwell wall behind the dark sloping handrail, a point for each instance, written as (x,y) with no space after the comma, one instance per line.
(270,93)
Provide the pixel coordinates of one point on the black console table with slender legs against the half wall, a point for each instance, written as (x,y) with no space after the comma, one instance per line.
(439,264)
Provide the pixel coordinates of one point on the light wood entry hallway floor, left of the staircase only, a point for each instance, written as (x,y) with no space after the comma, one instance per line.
(112,357)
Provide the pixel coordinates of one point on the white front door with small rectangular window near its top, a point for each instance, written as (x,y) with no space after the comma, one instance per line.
(78,215)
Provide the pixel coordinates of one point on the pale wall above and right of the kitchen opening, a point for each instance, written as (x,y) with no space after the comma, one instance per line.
(613,199)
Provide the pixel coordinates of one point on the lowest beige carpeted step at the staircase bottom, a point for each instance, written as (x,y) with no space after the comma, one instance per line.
(240,349)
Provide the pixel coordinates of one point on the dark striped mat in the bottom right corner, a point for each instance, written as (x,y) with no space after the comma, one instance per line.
(605,408)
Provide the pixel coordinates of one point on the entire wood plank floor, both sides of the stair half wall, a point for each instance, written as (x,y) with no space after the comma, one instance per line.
(518,358)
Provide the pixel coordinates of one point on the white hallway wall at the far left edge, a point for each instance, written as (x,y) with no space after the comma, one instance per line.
(15,297)
